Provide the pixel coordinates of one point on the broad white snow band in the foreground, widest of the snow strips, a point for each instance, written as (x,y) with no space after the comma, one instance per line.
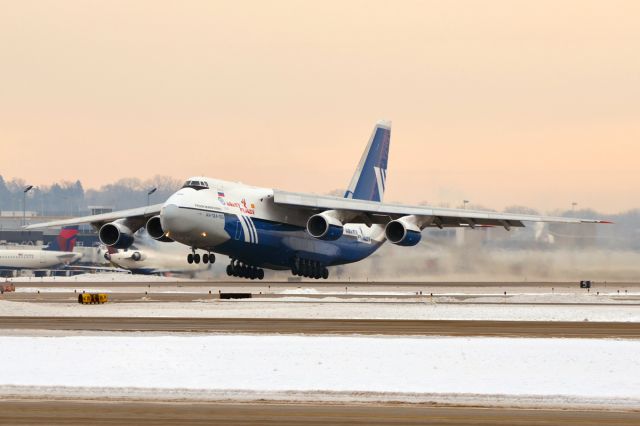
(577,368)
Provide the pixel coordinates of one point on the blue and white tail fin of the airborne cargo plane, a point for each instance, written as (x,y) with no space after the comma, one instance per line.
(370,178)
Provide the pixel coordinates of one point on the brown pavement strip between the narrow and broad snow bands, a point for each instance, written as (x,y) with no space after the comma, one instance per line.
(330,326)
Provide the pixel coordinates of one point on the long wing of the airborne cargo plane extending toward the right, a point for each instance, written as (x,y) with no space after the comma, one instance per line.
(363,211)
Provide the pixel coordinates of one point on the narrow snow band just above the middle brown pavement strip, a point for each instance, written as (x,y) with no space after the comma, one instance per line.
(256,308)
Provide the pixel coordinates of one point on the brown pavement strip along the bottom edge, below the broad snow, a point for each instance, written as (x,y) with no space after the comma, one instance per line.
(65,412)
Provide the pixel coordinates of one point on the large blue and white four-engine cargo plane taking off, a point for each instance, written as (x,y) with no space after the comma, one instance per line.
(304,233)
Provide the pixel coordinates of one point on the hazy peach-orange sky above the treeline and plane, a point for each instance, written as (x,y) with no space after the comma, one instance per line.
(499,102)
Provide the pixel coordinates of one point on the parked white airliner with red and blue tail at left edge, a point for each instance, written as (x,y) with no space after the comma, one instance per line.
(59,252)
